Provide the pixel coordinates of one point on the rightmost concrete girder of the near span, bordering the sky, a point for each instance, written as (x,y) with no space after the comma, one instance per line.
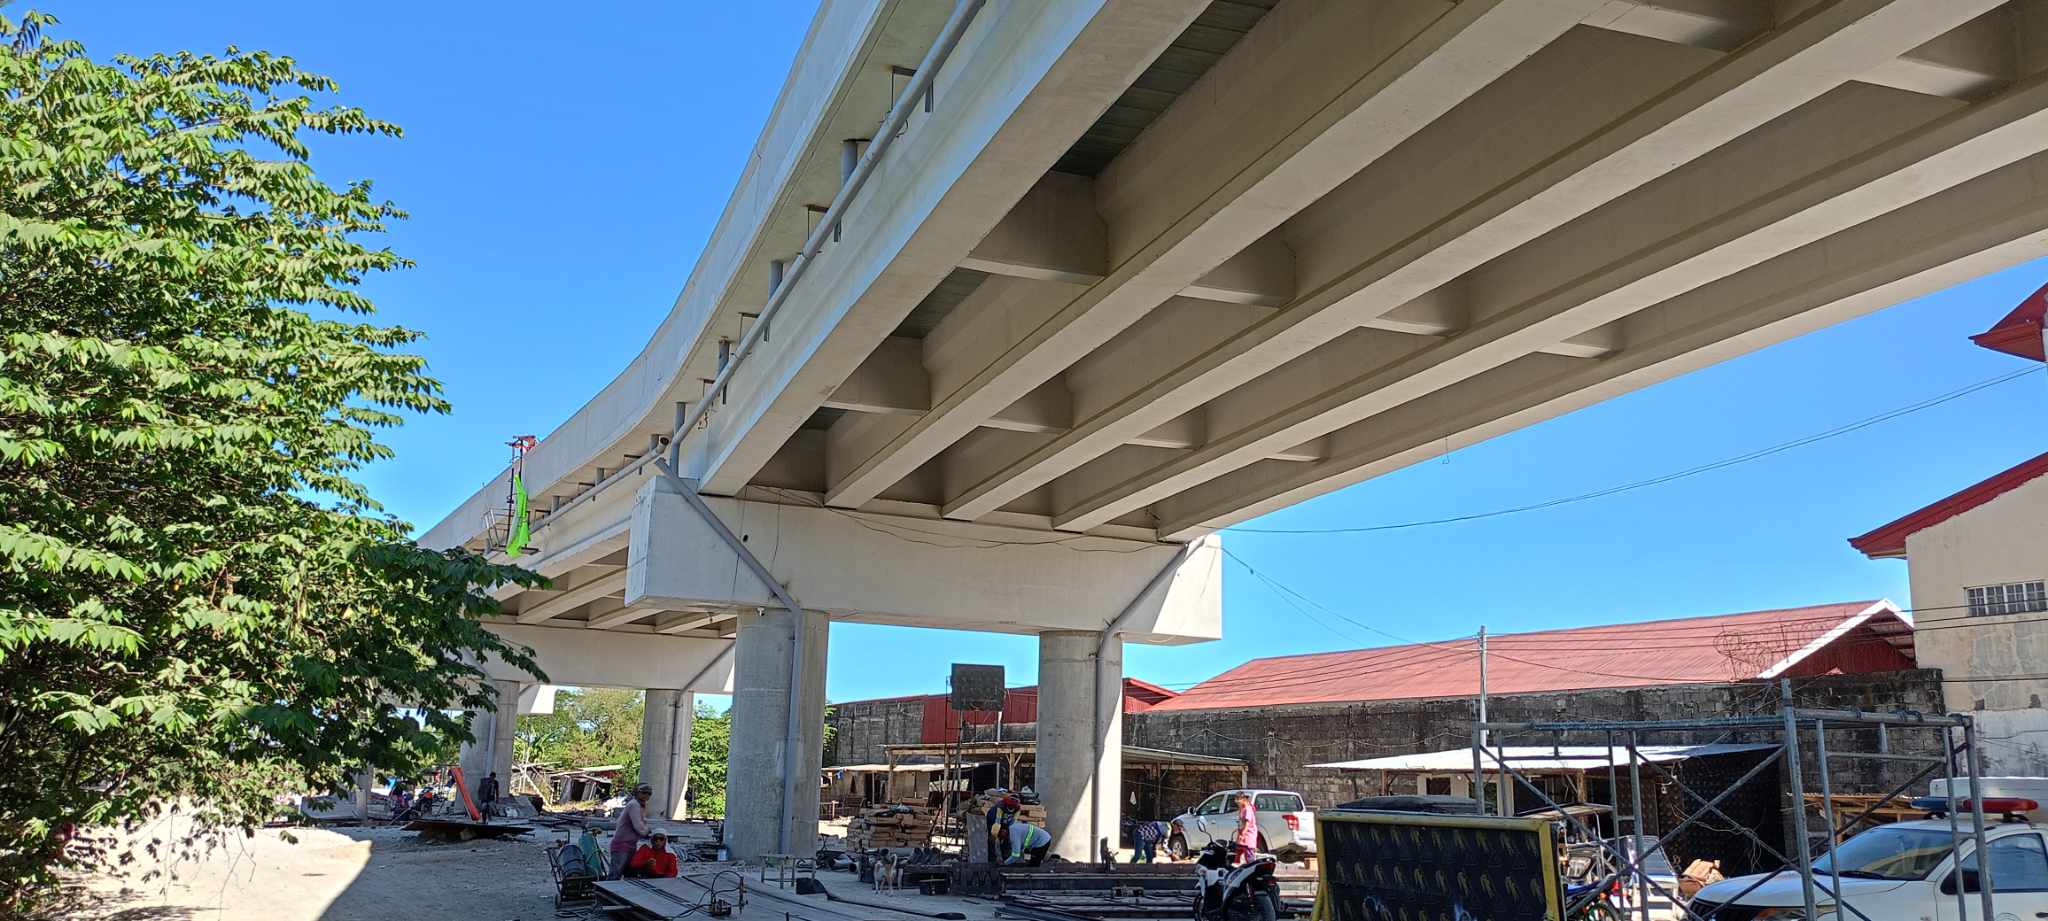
(1981,226)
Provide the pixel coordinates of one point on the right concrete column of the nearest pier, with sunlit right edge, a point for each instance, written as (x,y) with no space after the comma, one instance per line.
(1068,764)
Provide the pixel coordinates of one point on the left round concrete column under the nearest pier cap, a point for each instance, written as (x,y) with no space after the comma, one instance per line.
(761,773)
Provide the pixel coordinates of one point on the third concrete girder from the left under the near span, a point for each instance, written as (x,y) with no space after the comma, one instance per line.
(1705,107)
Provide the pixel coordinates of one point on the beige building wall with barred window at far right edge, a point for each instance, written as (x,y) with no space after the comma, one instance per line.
(1996,543)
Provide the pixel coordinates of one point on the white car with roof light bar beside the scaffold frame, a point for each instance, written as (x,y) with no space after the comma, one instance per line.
(1906,871)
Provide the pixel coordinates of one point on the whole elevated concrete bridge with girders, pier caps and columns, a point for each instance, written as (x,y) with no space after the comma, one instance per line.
(1019,302)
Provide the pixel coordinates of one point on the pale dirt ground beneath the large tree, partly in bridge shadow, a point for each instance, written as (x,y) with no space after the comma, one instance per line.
(339,875)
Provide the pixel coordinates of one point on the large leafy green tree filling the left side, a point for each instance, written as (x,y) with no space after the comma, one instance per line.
(200,609)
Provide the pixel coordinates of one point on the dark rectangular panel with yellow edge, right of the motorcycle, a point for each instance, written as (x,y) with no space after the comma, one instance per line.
(1412,867)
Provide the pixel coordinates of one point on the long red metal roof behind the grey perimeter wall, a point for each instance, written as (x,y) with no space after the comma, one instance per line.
(1730,648)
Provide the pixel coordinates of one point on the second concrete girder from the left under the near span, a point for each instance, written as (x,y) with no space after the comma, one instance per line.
(1252,142)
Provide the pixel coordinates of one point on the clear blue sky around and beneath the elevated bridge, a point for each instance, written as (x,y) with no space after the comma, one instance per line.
(568,167)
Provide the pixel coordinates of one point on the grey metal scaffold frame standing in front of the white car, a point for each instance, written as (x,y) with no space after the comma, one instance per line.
(1789,723)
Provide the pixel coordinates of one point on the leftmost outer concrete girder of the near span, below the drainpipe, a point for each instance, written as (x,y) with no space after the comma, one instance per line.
(1023,85)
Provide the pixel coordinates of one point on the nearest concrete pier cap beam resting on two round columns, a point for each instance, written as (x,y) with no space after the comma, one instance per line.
(970,576)
